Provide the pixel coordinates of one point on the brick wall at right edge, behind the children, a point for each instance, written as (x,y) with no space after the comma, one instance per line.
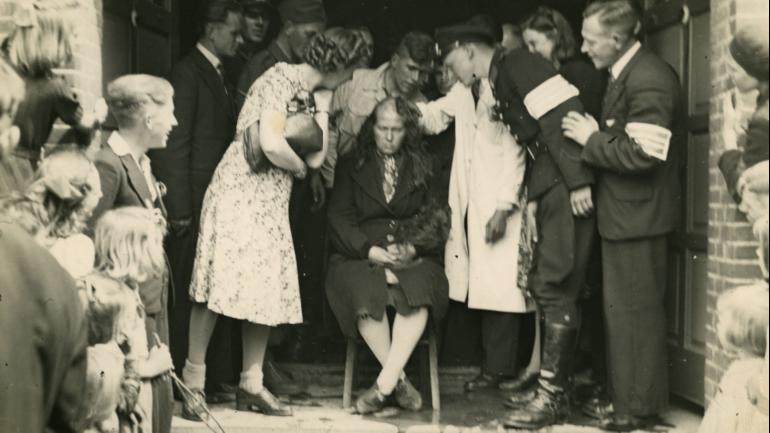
(732,257)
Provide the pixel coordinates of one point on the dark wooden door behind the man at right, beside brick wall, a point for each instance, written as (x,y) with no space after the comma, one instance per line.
(678,30)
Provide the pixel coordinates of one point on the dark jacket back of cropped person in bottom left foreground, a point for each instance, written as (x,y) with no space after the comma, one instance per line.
(43,340)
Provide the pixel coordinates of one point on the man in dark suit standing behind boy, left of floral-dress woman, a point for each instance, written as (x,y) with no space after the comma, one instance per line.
(206,115)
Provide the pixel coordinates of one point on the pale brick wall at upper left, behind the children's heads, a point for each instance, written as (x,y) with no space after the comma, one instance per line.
(85,74)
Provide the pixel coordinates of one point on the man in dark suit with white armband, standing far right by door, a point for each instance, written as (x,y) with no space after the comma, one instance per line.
(635,148)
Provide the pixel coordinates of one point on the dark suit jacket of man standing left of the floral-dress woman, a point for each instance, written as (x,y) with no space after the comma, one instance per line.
(206,127)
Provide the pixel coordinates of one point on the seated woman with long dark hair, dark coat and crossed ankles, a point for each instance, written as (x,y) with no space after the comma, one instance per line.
(384,184)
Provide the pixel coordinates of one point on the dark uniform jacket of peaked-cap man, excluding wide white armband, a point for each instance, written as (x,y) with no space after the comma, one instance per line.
(557,159)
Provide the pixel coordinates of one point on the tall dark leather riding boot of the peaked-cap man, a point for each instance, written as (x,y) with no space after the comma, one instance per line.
(550,404)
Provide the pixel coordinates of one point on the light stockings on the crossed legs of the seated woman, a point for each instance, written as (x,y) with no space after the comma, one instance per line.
(394,355)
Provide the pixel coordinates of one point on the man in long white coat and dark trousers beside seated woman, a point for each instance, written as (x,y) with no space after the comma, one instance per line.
(482,255)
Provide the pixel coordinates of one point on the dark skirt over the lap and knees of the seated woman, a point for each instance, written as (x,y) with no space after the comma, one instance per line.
(357,288)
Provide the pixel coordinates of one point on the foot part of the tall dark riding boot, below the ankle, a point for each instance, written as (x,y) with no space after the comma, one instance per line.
(547,408)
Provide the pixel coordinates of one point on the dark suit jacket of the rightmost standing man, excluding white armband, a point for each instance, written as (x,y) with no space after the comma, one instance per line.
(638,196)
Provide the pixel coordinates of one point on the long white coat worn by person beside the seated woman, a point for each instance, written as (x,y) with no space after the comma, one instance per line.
(487,172)
